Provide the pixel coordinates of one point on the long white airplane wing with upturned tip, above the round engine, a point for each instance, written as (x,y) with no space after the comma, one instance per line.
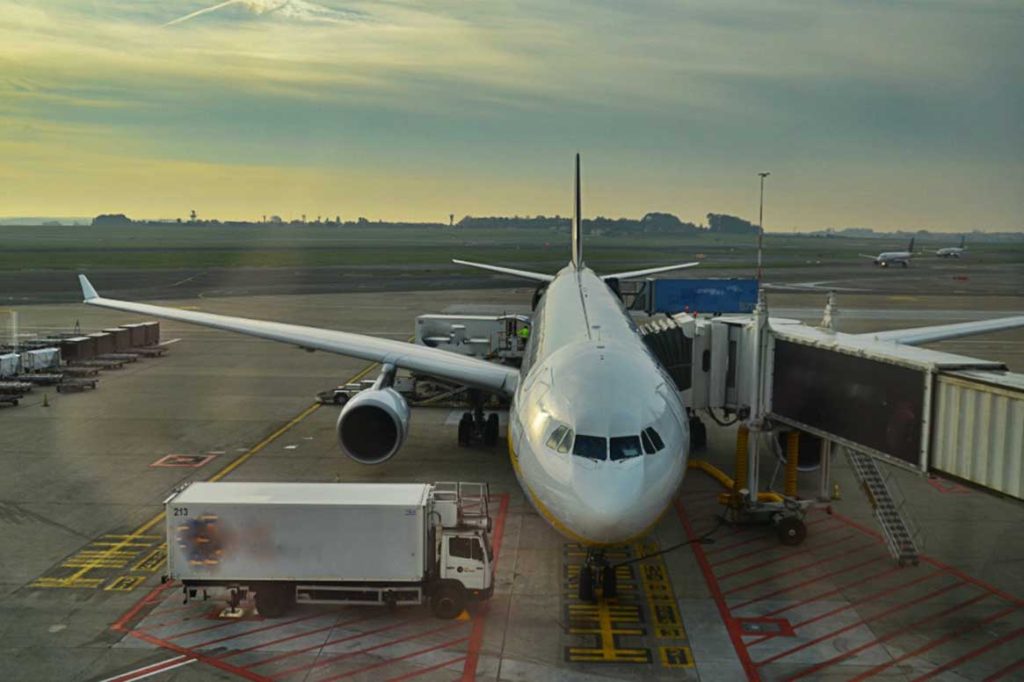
(443,364)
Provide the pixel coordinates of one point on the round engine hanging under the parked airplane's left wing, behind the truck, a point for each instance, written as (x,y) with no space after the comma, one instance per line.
(373,425)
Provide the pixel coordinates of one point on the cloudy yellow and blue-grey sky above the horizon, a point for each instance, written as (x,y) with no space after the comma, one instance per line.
(884,114)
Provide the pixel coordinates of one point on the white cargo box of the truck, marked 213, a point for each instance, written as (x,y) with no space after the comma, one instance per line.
(228,532)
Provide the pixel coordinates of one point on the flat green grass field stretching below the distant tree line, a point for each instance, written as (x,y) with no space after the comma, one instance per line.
(70,248)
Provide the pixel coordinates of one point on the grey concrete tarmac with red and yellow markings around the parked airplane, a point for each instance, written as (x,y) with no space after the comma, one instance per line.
(80,591)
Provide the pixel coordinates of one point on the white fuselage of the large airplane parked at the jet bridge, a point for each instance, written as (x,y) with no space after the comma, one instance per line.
(588,371)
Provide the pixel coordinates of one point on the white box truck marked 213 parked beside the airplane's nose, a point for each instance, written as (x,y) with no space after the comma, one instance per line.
(381,544)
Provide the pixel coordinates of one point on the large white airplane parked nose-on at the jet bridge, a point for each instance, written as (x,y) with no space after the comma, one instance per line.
(599,436)
